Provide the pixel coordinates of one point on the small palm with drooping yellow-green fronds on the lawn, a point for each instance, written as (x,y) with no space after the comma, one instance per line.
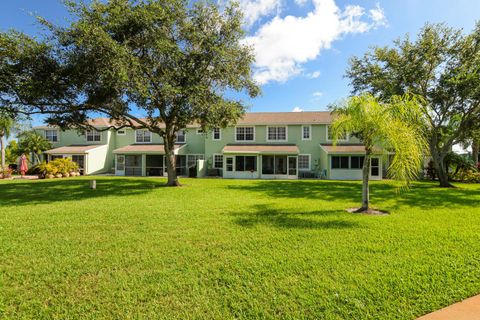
(396,126)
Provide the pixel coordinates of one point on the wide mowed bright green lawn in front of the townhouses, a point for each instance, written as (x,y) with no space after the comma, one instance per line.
(224,249)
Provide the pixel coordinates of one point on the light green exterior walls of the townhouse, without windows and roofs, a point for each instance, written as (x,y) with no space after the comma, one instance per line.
(103,160)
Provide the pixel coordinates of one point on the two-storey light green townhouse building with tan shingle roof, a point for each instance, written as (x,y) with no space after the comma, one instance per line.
(262,145)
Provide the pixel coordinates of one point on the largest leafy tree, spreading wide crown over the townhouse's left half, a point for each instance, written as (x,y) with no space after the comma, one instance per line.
(153,64)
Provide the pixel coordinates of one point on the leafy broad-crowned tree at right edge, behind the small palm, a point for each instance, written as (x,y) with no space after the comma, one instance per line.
(443,67)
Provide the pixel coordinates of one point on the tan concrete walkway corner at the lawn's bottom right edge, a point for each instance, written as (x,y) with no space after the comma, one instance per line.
(468,309)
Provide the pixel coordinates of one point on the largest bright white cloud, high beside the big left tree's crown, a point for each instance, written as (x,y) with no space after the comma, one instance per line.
(282,45)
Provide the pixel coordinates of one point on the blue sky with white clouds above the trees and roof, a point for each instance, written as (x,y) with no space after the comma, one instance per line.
(302,46)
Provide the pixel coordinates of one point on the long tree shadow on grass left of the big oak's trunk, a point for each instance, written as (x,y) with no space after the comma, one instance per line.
(68,189)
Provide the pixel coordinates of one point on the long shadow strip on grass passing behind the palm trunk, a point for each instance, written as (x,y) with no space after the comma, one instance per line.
(423,195)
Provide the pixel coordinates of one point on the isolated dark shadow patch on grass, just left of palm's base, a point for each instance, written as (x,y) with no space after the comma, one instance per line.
(265,215)
